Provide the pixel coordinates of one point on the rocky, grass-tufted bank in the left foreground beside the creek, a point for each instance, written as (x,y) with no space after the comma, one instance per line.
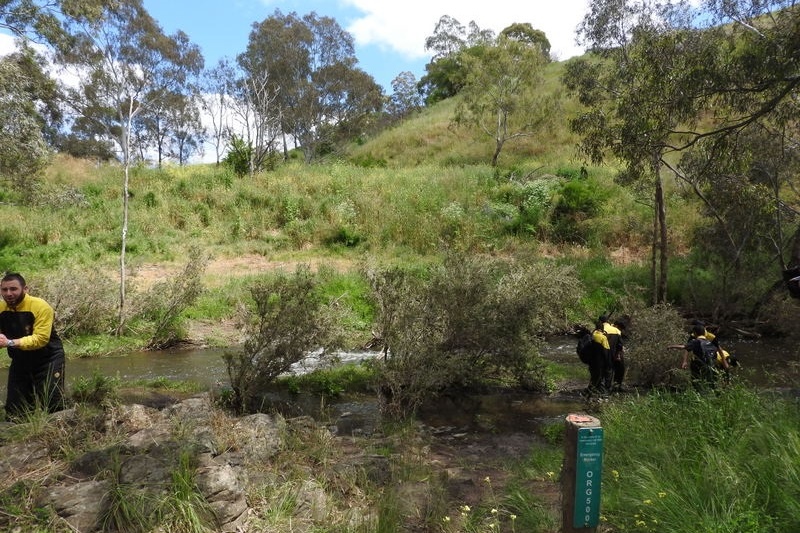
(169,464)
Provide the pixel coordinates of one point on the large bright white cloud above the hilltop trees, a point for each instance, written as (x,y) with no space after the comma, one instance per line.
(403,26)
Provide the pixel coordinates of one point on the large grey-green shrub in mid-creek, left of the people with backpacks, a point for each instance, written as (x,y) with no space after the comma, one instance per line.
(468,322)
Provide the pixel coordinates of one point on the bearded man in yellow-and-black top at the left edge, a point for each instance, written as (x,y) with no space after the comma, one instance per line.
(36,374)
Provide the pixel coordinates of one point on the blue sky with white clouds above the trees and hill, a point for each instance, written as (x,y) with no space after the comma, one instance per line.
(389,35)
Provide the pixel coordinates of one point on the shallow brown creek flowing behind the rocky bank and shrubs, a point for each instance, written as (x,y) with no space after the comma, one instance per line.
(764,363)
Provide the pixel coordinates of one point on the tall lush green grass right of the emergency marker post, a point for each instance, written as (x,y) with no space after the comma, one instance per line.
(731,470)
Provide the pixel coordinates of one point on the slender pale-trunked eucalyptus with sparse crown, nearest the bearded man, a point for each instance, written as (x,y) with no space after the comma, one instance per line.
(125,65)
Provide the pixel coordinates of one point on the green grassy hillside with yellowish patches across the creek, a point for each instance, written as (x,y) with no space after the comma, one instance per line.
(429,187)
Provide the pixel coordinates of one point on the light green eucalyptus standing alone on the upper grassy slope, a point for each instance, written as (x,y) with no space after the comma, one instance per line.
(501,95)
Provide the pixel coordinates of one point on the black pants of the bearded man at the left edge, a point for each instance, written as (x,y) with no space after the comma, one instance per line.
(35,384)
